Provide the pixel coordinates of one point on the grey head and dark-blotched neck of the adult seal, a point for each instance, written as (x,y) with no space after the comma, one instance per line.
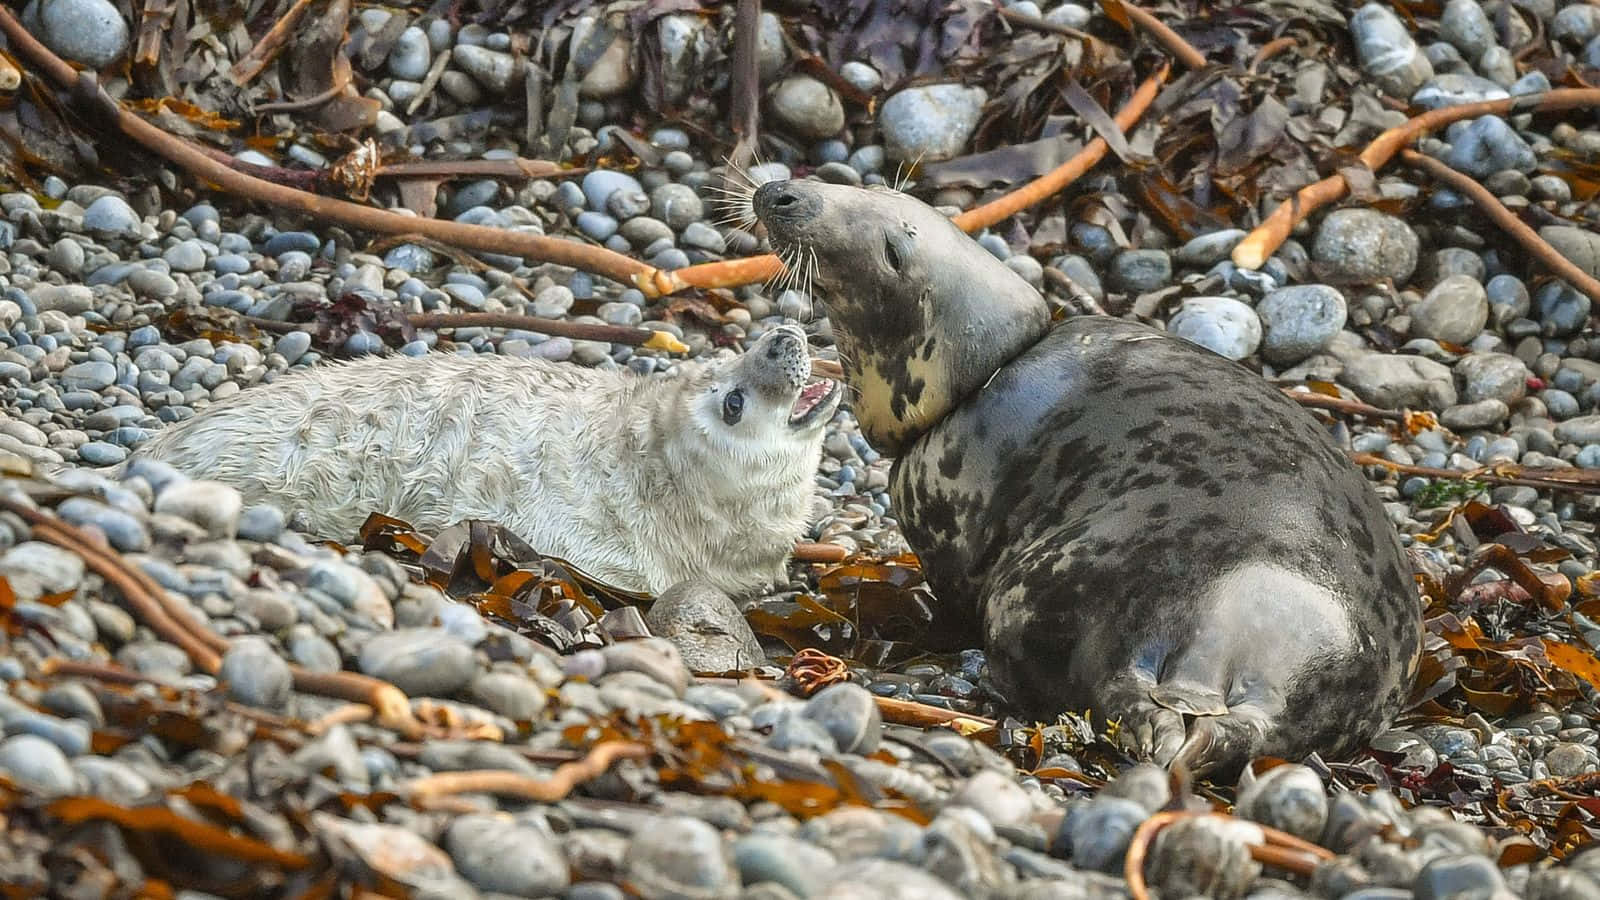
(924,316)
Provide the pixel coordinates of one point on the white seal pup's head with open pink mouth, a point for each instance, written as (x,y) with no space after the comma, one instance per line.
(761,406)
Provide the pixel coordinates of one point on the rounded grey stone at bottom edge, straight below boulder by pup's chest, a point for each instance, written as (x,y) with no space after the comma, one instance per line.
(679,858)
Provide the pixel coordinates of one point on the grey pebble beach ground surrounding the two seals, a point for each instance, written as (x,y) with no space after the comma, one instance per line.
(254,781)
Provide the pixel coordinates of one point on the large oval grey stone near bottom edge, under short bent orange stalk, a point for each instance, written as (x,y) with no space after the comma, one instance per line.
(506,858)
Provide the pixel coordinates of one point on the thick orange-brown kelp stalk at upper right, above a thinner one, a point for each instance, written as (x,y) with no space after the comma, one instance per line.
(1265,241)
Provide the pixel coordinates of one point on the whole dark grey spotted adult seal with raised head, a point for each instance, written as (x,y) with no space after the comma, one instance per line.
(1137,524)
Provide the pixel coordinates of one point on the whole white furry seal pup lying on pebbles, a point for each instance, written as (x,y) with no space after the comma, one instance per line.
(639,481)
